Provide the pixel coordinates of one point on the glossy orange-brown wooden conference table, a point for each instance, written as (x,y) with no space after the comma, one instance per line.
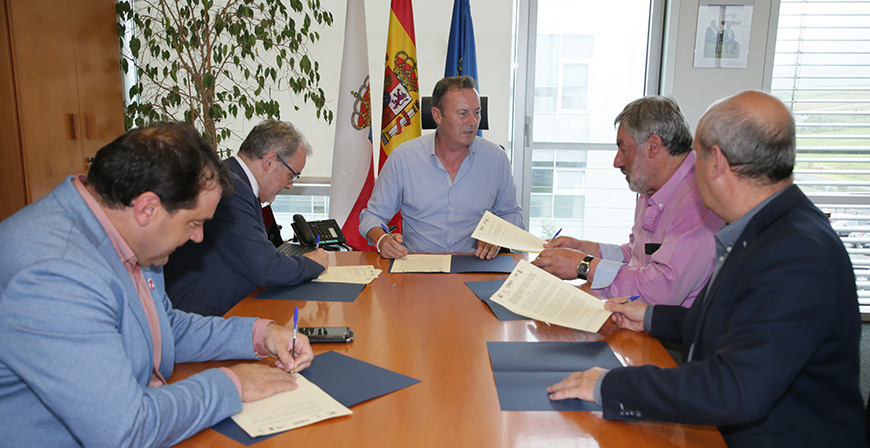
(433,328)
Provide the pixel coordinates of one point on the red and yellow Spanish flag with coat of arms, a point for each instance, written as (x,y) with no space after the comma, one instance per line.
(401,115)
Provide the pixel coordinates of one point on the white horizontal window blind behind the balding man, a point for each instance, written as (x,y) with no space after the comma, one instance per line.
(822,72)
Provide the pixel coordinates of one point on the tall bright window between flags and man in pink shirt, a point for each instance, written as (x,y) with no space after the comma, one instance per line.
(589,60)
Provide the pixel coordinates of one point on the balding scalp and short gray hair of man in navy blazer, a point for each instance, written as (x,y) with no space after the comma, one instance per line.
(755,132)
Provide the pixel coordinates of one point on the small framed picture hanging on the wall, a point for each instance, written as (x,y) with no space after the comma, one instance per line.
(722,37)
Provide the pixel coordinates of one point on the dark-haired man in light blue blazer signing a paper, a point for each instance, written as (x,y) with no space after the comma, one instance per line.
(87,332)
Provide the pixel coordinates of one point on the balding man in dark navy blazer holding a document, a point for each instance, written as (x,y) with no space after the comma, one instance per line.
(771,343)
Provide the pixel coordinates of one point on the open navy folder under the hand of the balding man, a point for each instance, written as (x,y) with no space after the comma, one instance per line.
(524,370)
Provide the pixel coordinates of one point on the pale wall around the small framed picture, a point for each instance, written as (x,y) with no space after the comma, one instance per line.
(696,88)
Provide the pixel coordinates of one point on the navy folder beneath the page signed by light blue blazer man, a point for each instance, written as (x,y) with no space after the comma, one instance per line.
(348,380)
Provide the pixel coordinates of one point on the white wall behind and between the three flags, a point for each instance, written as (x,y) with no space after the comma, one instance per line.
(492,29)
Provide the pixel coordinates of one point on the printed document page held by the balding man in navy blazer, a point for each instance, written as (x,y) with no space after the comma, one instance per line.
(532,292)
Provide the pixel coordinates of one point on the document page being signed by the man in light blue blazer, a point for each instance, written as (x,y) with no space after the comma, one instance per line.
(289,410)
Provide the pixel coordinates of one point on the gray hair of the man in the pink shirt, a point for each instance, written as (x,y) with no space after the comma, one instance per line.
(657,115)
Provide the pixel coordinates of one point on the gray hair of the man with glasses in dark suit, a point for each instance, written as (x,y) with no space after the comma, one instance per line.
(273,135)
